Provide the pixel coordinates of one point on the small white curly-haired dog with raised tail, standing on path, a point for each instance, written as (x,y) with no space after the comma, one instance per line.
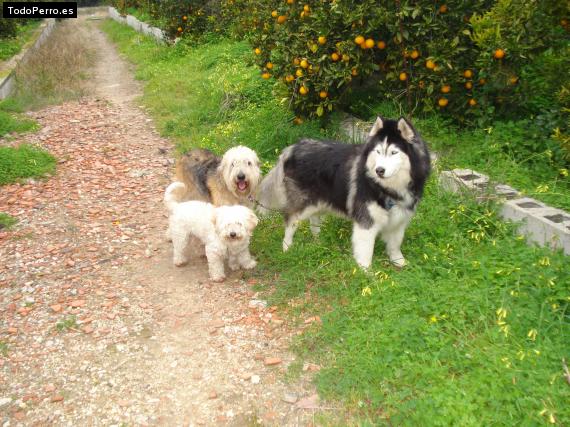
(225,231)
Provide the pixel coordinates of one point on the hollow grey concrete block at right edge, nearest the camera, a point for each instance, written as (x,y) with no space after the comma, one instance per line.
(540,223)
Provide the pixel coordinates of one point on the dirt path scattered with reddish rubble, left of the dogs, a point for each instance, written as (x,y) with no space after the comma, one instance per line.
(97,327)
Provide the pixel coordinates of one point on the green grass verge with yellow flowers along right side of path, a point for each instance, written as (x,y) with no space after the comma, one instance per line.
(472,332)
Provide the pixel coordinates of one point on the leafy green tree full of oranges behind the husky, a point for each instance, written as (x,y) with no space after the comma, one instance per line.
(430,55)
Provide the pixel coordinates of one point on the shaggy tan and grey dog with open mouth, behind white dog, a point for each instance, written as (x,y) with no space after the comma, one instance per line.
(230,180)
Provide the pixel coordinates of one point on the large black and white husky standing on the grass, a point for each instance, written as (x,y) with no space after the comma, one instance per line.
(377,185)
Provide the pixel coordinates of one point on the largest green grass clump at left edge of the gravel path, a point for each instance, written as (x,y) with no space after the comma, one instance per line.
(24,161)
